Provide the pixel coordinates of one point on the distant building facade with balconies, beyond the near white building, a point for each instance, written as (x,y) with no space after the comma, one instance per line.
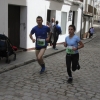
(89,11)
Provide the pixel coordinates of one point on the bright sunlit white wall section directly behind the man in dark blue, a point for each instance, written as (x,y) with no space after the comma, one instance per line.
(34,9)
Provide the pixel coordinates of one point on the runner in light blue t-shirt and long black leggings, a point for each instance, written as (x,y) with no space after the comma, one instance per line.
(72,44)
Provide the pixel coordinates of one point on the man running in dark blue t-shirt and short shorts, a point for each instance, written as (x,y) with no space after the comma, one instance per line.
(41,41)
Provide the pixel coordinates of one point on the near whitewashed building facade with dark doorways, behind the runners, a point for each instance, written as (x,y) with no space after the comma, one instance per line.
(17,17)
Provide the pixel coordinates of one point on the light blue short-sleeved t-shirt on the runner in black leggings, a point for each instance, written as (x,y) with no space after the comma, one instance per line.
(72,41)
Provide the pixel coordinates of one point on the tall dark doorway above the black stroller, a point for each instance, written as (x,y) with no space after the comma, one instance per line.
(14,24)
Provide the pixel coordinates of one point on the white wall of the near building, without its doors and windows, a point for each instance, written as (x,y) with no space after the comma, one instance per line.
(34,8)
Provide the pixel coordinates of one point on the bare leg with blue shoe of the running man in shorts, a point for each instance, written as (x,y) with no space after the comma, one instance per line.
(39,55)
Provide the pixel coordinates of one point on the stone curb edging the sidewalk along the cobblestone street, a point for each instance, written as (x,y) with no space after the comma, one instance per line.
(33,60)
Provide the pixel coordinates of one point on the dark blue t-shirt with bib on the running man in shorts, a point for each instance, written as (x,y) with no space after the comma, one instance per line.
(41,35)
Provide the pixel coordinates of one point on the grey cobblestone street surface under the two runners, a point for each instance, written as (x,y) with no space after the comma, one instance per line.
(25,83)
